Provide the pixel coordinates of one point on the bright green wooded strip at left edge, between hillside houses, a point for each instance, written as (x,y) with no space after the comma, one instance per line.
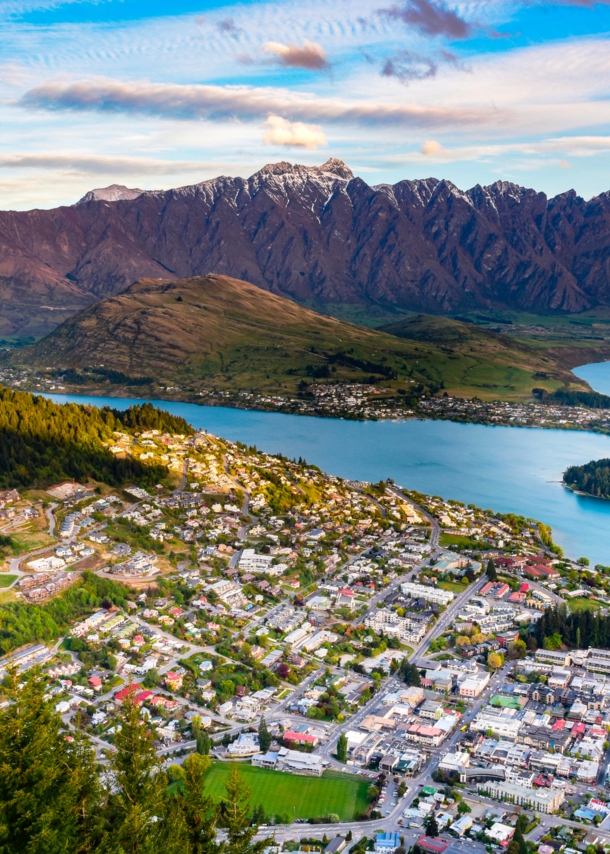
(21,624)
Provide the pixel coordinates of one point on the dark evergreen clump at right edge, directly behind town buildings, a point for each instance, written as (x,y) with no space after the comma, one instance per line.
(557,628)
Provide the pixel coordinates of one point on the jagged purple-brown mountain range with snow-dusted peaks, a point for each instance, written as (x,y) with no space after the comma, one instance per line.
(314,233)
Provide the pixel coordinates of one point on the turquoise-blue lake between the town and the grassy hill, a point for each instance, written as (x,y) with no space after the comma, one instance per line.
(508,469)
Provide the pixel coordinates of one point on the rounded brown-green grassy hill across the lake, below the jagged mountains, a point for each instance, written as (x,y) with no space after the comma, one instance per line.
(222,333)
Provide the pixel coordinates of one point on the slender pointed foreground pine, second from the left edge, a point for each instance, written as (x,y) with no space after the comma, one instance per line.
(136,804)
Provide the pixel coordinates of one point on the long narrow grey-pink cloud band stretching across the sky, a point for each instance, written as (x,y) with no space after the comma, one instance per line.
(196,101)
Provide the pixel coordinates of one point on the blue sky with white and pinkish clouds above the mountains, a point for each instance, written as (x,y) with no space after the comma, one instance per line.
(155,94)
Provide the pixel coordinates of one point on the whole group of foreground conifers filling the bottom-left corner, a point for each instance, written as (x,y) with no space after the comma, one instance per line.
(54,798)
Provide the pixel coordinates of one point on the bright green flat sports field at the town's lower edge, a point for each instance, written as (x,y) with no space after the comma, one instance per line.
(301,797)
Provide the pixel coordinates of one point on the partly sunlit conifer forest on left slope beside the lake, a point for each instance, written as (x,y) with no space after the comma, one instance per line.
(42,442)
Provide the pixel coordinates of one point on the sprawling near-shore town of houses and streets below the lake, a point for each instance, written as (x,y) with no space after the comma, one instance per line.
(398,647)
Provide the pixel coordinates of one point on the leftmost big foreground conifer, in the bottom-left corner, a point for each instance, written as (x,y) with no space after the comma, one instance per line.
(50,795)
